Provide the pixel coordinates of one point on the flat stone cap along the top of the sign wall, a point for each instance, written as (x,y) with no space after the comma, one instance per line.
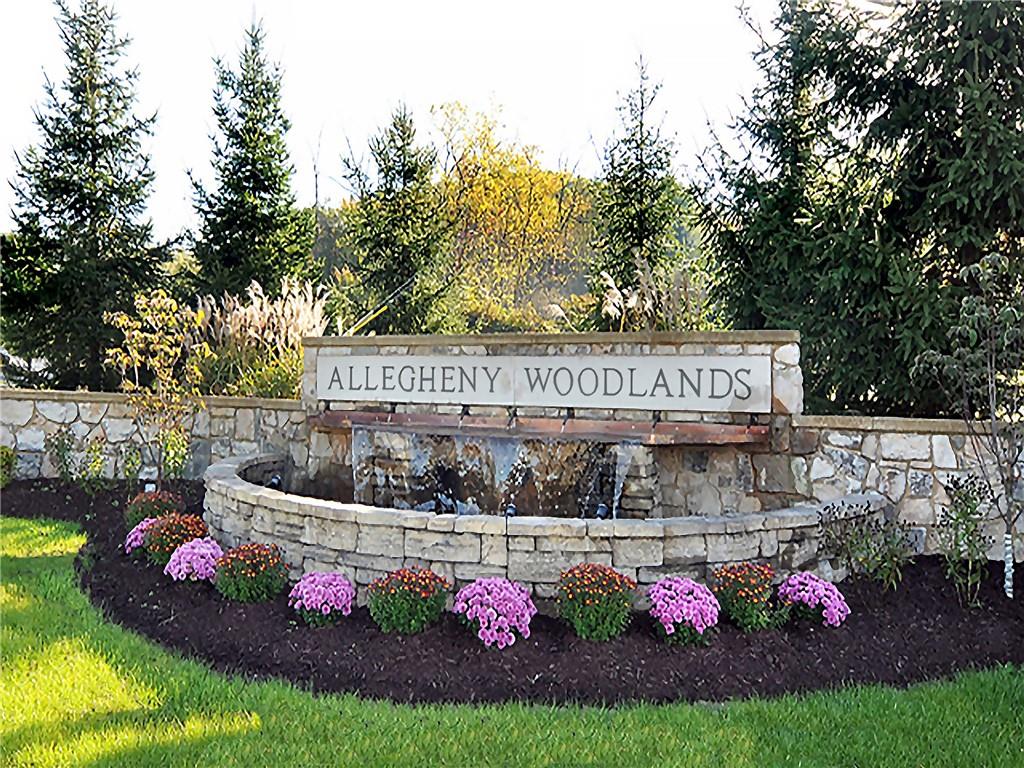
(711,337)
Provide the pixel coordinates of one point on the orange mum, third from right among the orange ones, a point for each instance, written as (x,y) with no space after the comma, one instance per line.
(408,601)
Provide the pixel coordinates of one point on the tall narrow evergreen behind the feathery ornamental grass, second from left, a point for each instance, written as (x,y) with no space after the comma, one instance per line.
(251,228)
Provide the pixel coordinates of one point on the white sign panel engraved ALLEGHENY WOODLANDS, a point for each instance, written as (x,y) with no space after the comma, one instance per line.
(717,383)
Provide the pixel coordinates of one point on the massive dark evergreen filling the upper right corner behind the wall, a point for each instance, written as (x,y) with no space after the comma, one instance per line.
(878,161)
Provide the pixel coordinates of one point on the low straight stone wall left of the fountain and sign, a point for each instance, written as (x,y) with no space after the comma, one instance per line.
(229,426)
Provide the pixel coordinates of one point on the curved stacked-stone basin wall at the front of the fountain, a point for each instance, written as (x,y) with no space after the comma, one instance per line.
(367,542)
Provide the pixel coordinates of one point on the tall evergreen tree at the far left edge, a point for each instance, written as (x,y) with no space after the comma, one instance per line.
(81,244)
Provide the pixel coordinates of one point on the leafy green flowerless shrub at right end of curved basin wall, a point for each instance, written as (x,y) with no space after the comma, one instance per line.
(867,545)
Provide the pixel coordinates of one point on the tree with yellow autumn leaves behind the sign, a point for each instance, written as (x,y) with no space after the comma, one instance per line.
(522,231)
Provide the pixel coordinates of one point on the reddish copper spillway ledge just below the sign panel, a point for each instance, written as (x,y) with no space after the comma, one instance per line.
(648,434)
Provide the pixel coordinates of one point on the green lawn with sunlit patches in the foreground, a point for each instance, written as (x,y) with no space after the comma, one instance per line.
(78,692)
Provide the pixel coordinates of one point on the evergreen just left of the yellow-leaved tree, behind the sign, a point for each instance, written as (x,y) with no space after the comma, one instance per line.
(400,231)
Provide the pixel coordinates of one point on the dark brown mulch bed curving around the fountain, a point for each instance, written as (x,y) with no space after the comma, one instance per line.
(915,634)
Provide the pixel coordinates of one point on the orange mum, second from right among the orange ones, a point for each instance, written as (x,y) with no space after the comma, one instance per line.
(595,600)
